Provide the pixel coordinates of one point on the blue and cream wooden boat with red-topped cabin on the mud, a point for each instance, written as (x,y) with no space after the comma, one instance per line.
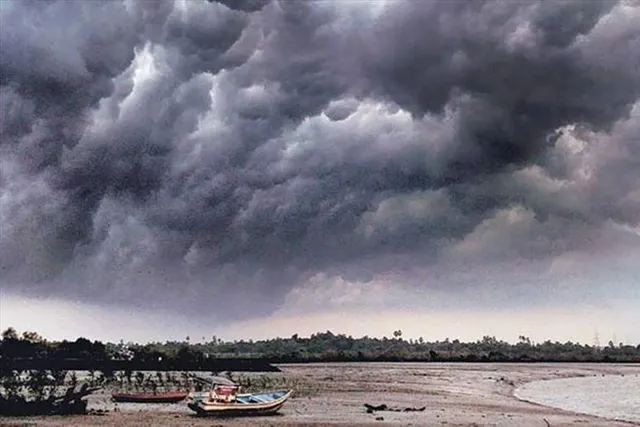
(224,401)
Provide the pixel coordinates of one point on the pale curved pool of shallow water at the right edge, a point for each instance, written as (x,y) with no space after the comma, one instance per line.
(610,396)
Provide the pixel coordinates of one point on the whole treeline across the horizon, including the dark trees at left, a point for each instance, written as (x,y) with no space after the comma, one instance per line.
(218,355)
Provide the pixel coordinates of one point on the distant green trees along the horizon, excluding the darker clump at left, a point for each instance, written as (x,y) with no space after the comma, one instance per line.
(328,347)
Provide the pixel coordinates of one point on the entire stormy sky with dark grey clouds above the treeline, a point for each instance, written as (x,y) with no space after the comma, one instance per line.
(259,168)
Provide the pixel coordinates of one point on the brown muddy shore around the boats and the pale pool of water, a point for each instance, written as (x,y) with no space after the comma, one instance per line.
(335,394)
